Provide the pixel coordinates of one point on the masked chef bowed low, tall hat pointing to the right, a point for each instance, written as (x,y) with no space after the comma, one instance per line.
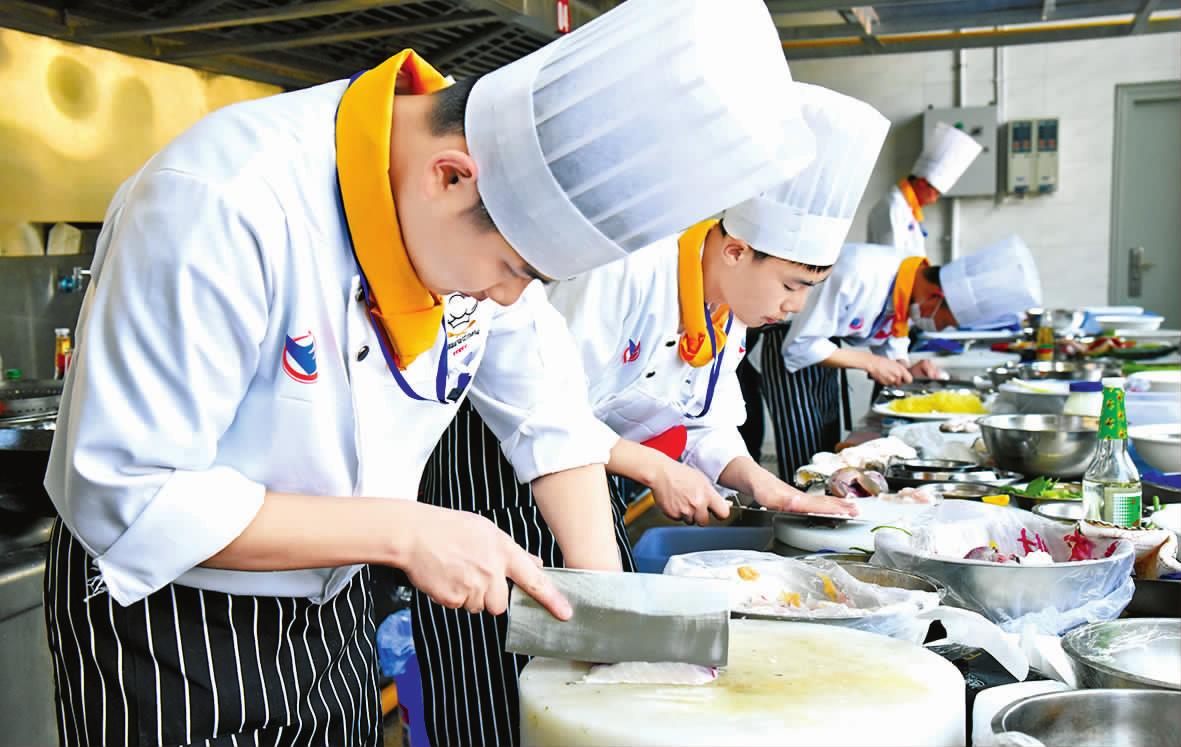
(870,304)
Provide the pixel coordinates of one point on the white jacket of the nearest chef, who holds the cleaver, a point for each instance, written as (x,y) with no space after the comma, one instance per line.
(224,351)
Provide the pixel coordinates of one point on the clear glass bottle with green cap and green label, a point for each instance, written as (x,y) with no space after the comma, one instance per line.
(1112,488)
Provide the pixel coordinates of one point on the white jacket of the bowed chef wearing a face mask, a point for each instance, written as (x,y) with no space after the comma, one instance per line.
(856,304)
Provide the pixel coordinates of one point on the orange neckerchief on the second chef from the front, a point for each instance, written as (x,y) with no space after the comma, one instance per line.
(694,346)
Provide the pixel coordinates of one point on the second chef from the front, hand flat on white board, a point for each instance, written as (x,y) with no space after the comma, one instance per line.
(660,335)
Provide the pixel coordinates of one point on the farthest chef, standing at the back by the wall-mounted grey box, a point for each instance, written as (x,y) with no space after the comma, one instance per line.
(897,221)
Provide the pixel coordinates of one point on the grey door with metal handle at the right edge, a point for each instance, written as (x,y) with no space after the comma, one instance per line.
(1146,201)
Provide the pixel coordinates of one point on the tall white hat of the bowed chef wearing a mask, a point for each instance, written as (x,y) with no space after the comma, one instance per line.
(994,283)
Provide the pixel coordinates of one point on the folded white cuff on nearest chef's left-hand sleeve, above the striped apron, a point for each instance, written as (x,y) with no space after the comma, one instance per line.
(192,519)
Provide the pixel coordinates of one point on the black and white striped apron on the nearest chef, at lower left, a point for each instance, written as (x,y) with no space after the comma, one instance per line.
(187,666)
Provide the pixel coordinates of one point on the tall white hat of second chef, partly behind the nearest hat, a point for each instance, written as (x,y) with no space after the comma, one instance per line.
(807,219)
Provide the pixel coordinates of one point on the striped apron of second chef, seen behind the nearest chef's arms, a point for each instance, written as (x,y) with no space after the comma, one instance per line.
(469,682)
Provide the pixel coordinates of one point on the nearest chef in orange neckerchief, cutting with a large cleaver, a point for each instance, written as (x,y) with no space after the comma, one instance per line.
(289,304)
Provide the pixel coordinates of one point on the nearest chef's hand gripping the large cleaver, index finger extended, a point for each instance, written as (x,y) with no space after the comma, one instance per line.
(462,560)
